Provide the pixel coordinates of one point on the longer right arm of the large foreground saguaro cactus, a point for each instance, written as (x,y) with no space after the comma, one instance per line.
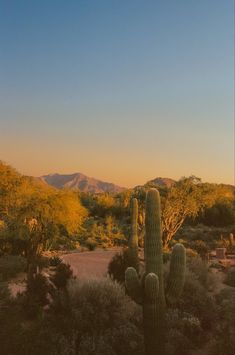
(175,282)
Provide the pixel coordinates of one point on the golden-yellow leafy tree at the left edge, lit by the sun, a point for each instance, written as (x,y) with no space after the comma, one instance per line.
(33,212)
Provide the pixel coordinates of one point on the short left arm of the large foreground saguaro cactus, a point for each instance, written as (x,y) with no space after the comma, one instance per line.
(133,285)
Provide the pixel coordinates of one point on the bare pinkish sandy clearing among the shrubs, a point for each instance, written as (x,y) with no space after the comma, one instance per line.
(90,264)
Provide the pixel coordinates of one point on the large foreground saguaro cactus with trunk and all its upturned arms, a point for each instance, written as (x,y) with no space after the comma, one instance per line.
(150,290)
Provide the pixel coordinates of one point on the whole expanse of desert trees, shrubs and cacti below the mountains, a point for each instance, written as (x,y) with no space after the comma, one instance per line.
(188,303)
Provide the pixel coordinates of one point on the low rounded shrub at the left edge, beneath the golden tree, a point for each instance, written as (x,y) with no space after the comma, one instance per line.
(10,265)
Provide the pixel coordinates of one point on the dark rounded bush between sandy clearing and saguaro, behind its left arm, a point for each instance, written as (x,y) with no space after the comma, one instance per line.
(120,262)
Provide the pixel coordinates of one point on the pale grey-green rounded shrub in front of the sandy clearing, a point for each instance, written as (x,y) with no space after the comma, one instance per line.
(105,318)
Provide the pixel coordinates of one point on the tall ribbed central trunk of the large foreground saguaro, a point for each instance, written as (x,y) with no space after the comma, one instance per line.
(154,305)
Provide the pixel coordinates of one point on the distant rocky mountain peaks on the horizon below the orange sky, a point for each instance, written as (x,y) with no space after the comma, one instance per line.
(81,182)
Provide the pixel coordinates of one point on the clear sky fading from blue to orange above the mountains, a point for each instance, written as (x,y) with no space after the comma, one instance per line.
(120,90)
